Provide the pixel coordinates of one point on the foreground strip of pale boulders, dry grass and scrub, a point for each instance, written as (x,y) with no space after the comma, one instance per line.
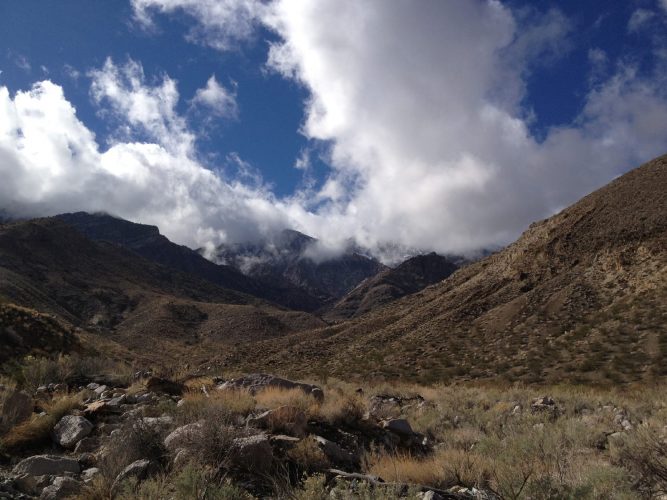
(261,436)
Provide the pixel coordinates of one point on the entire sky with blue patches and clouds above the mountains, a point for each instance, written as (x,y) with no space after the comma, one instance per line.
(411,125)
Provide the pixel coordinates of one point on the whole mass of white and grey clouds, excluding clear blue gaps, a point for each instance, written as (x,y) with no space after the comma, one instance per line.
(424,111)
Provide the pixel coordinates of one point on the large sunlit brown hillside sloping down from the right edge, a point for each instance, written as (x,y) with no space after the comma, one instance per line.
(581,296)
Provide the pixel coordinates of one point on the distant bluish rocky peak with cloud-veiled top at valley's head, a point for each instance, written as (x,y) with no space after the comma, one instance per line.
(291,256)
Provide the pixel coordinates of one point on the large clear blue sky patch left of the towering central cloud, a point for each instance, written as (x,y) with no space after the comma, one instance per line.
(80,34)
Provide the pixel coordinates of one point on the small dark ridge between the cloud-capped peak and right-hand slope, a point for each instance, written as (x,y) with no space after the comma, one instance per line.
(409,277)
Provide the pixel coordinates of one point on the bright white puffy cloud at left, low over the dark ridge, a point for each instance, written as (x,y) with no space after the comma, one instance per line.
(50,163)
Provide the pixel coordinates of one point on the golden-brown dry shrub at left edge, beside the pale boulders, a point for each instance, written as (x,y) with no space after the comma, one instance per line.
(37,431)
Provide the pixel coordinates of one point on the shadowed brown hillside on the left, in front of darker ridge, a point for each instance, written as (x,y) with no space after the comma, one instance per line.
(104,288)
